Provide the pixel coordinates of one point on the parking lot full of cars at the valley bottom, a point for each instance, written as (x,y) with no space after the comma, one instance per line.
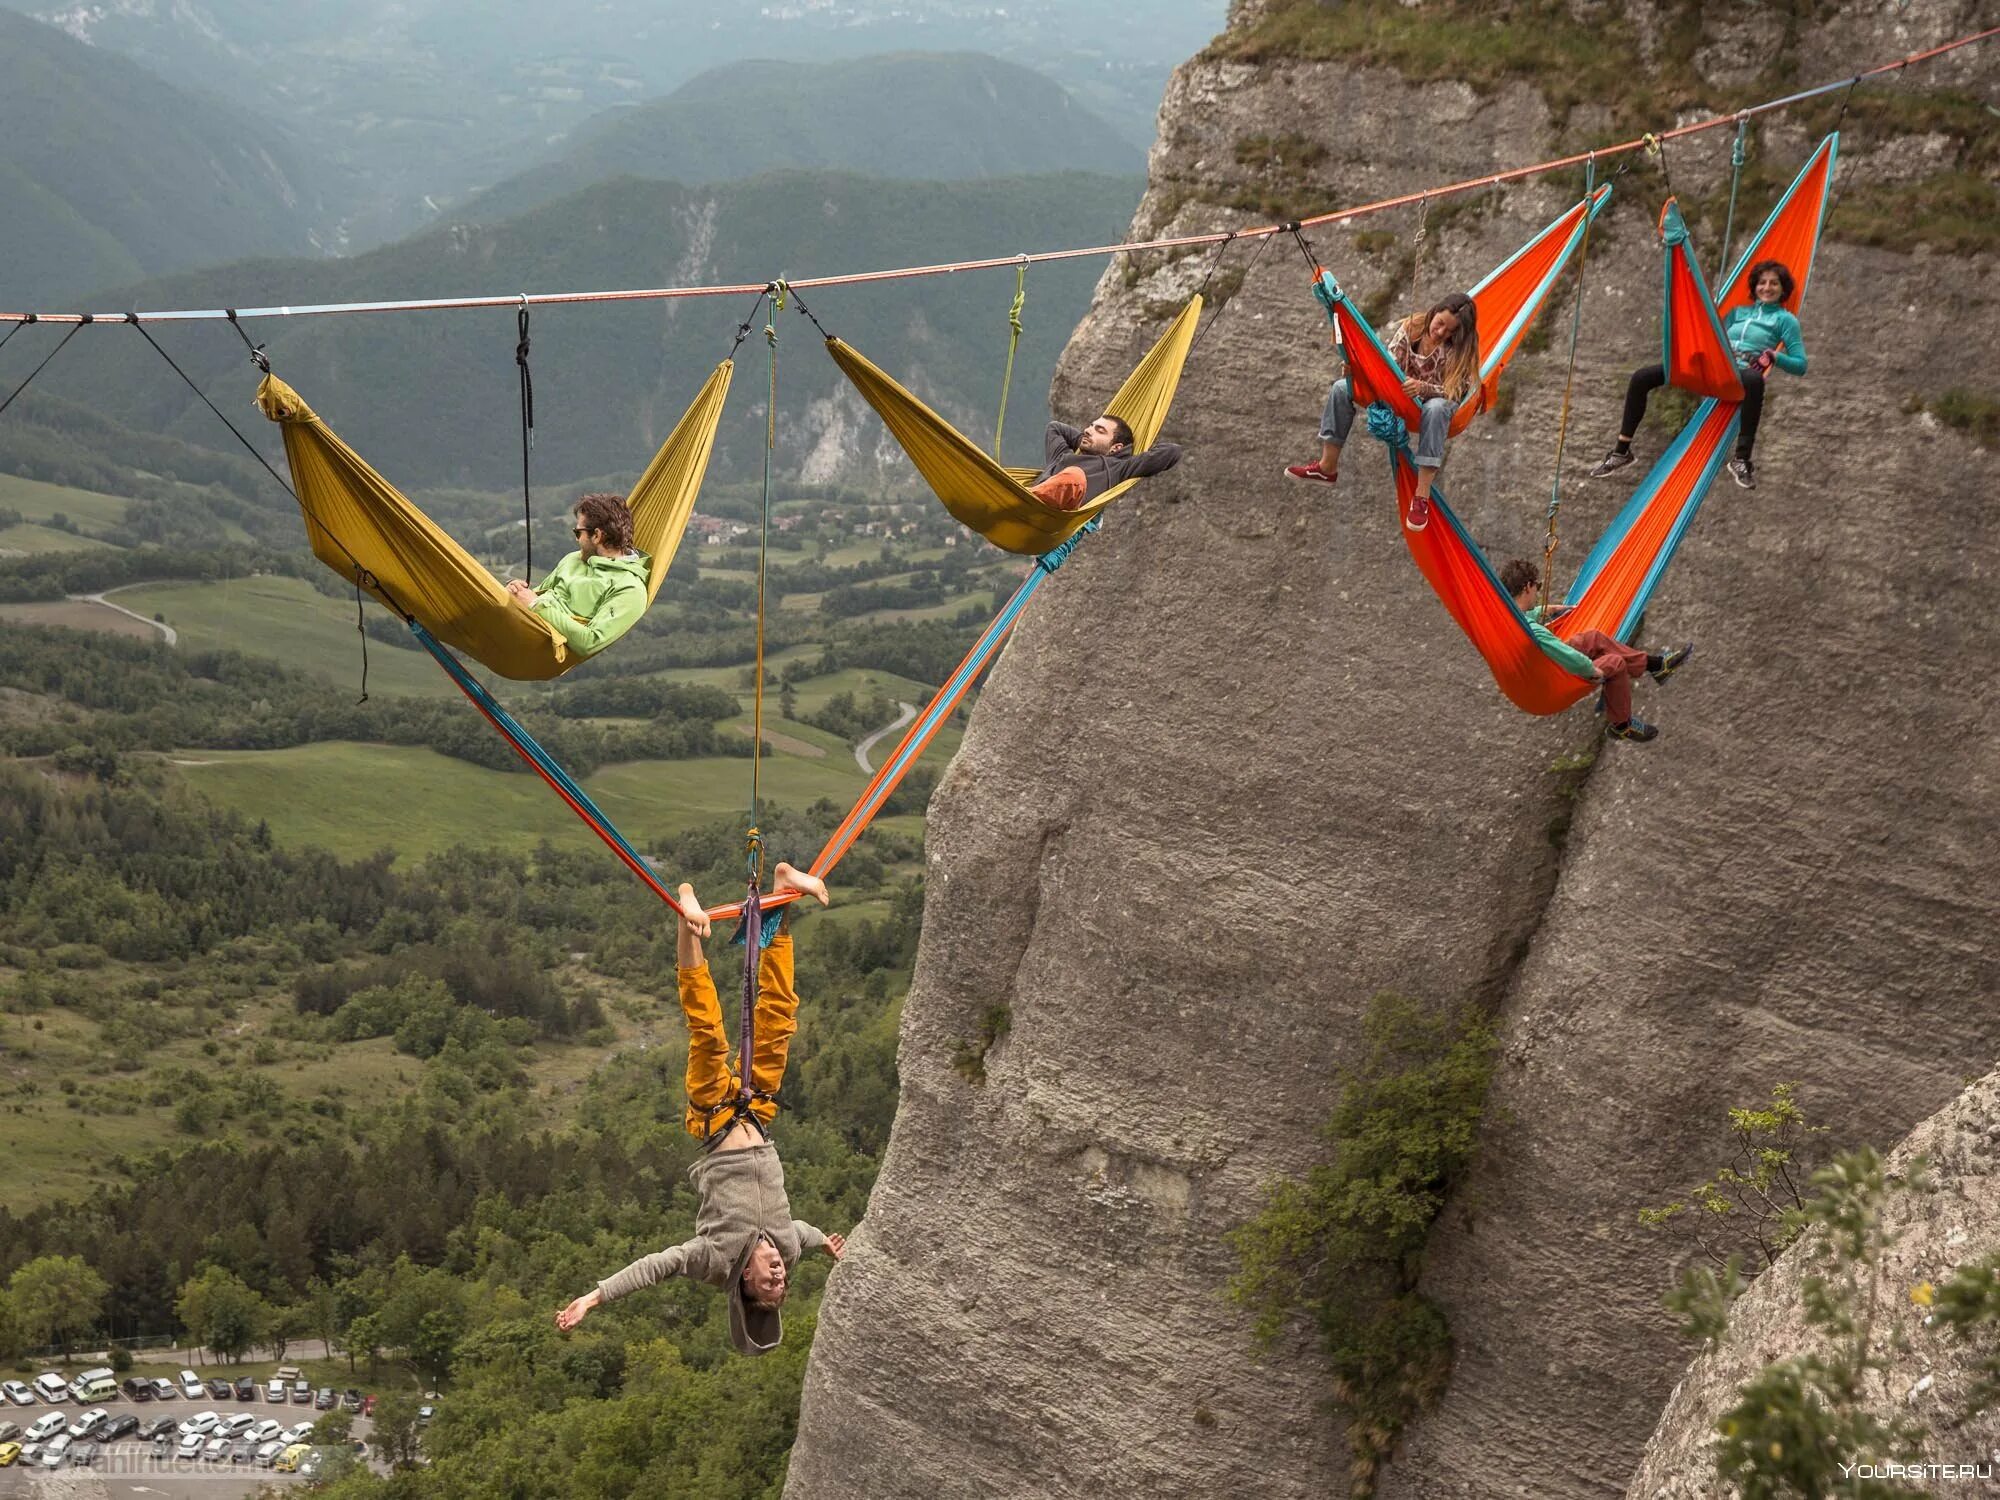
(133,1469)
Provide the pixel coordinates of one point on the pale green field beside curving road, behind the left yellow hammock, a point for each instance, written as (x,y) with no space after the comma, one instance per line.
(291,621)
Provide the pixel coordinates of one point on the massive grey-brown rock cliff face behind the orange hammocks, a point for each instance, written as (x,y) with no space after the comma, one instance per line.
(1239,773)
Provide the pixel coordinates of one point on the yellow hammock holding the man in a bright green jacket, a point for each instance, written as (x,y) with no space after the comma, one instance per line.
(361,523)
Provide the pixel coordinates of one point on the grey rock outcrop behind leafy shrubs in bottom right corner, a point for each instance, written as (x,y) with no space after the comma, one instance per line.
(1931,1381)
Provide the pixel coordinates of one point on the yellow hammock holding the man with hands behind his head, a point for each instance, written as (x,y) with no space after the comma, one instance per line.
(991,499)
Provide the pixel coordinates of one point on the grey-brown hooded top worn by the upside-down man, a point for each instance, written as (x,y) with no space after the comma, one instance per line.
(741,1201)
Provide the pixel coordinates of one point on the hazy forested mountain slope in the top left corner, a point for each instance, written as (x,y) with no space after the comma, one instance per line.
(111,175)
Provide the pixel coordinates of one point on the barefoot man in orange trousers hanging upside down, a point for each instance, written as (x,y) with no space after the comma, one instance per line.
(745,1235)
